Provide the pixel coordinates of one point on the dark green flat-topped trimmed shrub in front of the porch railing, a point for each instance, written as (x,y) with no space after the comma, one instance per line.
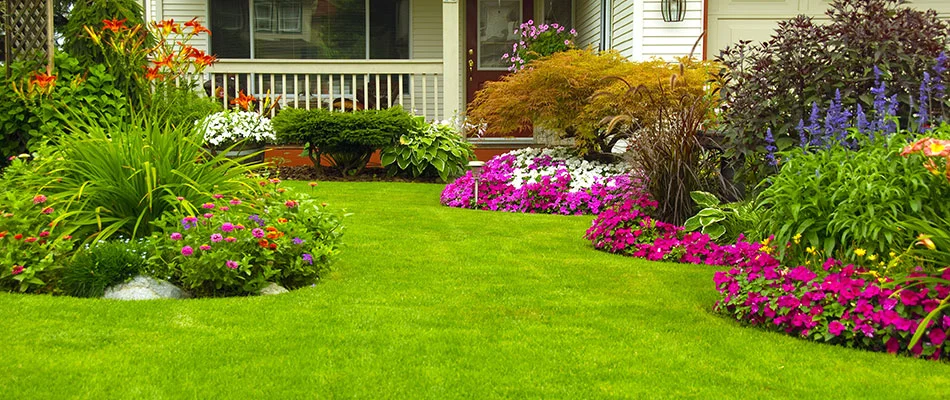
(347,139)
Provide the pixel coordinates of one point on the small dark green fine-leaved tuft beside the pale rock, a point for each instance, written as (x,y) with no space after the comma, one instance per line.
(101,265)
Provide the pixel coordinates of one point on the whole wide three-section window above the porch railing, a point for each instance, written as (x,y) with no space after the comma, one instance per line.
(310,29)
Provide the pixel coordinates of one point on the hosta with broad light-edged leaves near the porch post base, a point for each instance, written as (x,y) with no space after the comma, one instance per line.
(429,149)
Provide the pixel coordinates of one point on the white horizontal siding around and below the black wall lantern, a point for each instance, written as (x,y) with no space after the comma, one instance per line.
(671,39)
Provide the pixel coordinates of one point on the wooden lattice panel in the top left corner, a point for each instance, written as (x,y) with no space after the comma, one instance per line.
(26,29)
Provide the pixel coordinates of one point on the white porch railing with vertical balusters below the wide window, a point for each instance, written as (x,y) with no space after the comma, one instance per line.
(342,85)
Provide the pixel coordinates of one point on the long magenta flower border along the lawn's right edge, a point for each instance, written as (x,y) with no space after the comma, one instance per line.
(840,304)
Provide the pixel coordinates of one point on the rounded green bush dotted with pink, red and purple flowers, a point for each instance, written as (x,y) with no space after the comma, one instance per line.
(234,245)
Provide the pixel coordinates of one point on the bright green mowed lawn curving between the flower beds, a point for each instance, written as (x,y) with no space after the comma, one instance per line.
(433,302)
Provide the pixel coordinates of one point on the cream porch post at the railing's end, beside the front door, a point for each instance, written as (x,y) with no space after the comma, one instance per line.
(452,58)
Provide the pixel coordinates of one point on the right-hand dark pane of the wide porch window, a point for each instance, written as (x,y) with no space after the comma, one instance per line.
(389,29)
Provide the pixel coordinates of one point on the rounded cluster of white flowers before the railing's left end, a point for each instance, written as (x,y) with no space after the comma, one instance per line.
(225,128)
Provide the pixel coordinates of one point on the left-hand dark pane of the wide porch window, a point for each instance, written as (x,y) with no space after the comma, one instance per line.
(230,29)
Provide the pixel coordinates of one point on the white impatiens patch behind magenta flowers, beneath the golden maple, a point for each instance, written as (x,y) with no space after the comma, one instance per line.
(530,165)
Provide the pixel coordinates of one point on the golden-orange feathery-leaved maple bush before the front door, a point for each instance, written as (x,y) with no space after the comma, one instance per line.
(556,94)
